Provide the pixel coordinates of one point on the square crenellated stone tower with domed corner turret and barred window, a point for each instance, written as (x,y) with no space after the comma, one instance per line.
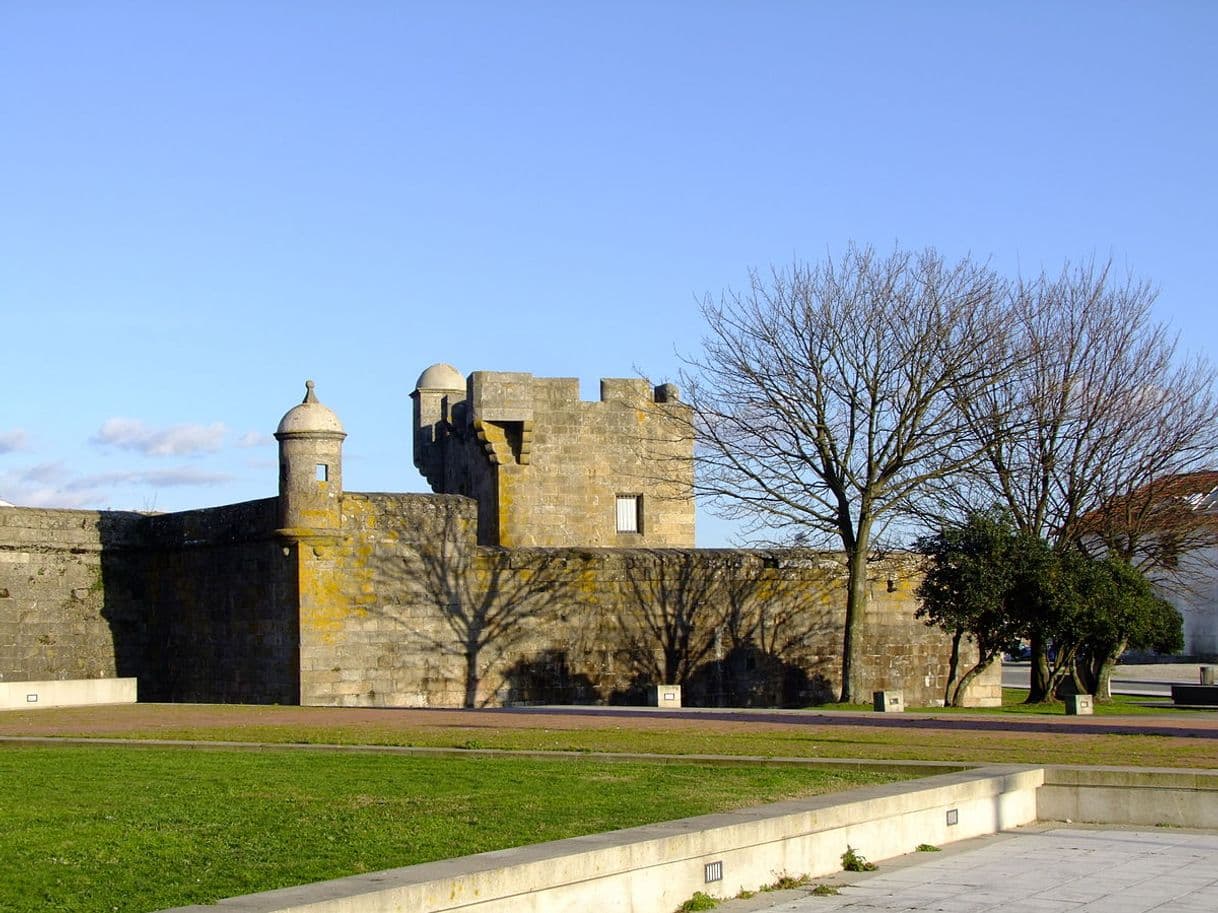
(551,469)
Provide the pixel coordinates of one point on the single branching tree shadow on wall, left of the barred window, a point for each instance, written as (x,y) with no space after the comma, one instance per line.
(490,600)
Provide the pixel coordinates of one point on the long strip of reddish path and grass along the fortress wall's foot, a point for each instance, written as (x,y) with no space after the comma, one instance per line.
(1033,736)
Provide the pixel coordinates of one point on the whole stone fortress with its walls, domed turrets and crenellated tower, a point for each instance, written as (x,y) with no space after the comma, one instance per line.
(554,564)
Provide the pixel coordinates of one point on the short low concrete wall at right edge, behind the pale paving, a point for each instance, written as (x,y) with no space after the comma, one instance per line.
(1122,796)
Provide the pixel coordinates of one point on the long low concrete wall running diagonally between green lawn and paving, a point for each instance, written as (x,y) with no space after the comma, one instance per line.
(660,866)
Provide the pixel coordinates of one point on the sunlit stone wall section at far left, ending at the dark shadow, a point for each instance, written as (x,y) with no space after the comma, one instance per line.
(54,608)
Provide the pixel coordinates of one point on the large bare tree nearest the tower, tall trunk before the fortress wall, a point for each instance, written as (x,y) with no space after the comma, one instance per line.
(825,402)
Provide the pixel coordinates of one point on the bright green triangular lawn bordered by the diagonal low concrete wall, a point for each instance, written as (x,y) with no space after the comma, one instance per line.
(114,830)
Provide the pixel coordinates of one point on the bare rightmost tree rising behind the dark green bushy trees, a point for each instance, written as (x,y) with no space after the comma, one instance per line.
(1100,413)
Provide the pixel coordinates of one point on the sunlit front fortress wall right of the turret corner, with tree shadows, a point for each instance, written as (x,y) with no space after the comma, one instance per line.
(405,610)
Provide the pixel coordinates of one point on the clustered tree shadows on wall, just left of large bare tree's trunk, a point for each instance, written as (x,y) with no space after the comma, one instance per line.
(730,629)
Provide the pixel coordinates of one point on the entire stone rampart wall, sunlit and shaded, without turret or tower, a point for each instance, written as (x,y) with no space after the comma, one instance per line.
(400,607)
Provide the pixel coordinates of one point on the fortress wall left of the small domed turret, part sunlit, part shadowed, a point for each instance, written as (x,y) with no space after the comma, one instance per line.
(199,606)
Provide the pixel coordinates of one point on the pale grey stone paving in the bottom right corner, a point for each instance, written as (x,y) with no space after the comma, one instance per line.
(1040,870)
